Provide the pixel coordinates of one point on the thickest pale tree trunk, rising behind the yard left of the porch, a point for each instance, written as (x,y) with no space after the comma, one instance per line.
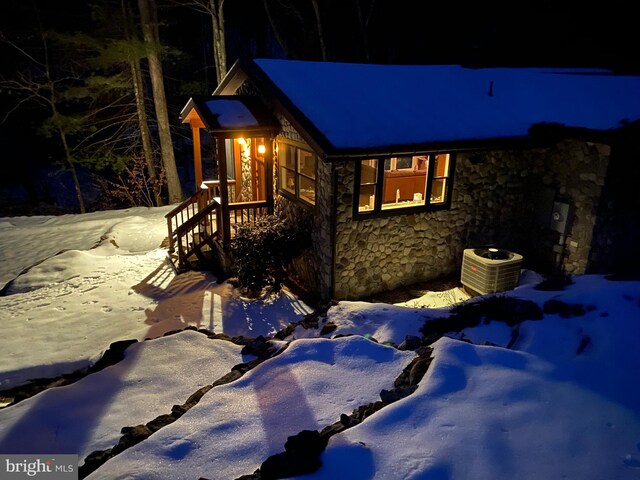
(148,16)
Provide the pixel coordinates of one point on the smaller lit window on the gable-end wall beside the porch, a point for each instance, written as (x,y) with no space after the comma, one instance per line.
(297,172)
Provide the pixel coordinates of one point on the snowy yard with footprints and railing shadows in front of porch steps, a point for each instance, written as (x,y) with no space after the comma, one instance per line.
(90,280)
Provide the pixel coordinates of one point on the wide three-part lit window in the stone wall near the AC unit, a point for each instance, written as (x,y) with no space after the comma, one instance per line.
(421,182)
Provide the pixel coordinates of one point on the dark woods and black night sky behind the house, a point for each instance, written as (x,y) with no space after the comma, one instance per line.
(90,91)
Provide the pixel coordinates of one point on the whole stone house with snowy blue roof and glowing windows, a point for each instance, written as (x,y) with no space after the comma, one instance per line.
(395,170)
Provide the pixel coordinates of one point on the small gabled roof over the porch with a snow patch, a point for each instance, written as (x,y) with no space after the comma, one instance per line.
(236,114)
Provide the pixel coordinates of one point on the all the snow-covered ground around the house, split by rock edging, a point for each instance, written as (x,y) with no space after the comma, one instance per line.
(562,402)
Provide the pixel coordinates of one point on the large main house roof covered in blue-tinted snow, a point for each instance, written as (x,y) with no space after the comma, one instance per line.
(364,106)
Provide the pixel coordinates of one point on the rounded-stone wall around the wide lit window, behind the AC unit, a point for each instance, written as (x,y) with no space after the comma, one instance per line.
(496,201)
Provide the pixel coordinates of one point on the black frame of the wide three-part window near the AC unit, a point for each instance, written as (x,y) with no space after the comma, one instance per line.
(427,206)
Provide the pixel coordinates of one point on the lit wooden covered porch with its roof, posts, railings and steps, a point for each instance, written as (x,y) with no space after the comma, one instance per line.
(233,152)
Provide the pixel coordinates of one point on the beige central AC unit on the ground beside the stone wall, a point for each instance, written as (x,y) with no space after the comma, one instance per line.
(490,270)
